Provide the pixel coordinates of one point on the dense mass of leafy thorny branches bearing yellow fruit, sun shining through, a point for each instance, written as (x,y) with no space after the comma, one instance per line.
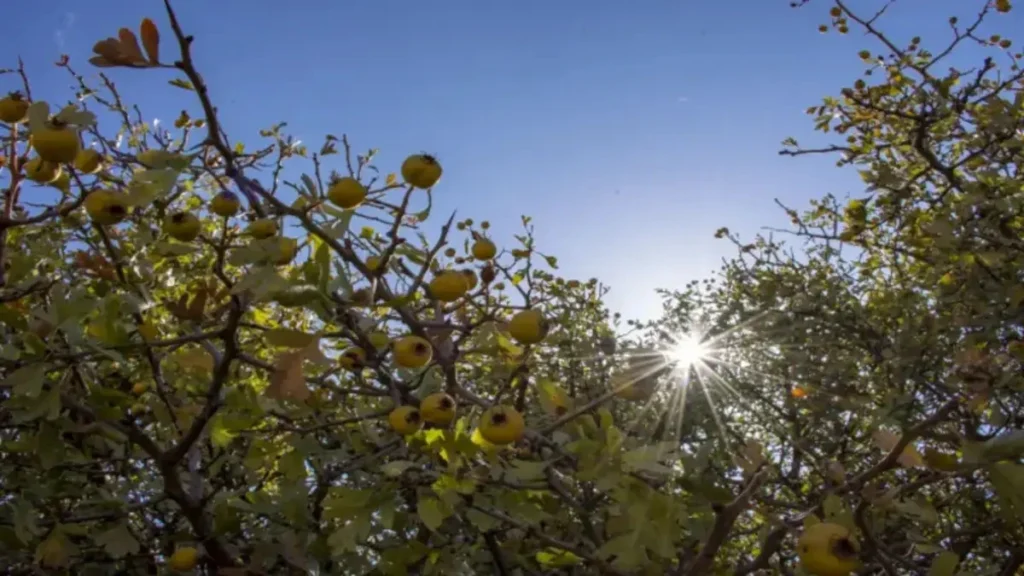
(204,362)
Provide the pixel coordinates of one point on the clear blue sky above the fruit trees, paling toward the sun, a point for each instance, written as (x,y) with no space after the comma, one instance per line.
(630,131)
